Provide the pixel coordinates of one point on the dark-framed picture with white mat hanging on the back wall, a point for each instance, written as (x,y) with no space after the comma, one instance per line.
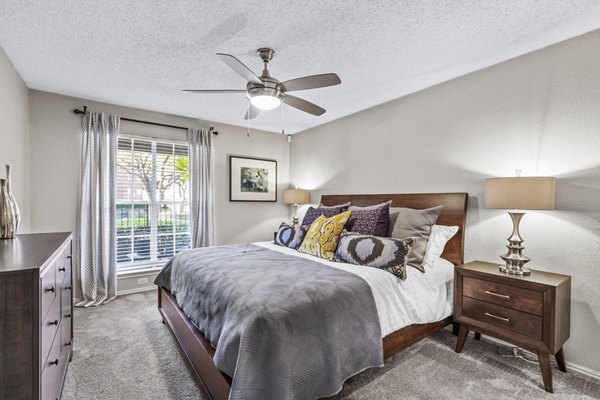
(252,179)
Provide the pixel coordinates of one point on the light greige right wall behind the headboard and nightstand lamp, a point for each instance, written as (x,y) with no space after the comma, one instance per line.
(539,112)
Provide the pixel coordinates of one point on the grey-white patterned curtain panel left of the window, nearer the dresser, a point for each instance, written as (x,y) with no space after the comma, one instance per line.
(97,274)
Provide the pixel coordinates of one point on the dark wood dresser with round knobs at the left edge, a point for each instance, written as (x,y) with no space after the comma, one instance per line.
(36,318)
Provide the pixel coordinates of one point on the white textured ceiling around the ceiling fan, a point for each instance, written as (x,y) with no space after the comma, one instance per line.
(142,53)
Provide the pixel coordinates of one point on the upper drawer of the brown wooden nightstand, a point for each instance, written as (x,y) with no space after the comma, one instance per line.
(525,300)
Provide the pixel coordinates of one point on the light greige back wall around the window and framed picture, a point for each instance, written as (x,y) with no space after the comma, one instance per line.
(55,157)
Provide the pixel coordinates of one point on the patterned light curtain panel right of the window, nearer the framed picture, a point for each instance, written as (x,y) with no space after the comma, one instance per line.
(201,186)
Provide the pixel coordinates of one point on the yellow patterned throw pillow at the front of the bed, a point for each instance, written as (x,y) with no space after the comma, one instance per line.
(323,235)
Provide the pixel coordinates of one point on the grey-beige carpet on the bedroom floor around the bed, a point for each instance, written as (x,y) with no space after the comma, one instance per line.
(124,352)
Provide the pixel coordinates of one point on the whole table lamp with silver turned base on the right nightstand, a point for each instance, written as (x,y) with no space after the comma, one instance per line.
(517,194)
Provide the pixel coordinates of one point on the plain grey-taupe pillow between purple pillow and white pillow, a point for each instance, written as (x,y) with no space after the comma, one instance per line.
(411,223)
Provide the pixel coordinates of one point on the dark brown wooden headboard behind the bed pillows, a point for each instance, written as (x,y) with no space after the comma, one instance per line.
(453,213)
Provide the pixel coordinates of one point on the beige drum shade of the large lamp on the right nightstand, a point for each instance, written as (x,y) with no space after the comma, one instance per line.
(522,193)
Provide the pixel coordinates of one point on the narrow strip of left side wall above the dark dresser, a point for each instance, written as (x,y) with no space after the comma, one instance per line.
(14,135)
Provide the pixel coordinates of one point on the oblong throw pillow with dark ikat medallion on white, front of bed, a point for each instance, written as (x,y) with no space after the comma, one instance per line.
(384,253)
